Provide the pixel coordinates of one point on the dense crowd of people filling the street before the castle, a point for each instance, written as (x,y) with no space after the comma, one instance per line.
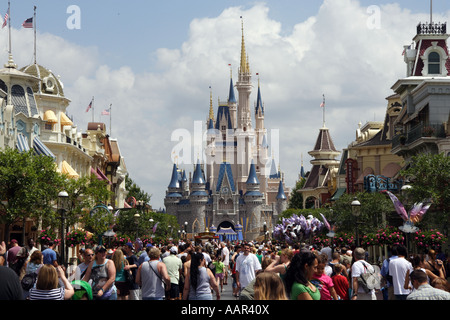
(199,271)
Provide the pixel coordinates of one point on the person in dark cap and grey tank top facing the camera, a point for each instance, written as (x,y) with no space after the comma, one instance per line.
(102,272)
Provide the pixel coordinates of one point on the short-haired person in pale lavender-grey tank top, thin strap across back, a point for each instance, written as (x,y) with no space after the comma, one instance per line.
(152,276)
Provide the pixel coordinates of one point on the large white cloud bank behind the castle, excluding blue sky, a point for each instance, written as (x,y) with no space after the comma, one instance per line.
(332,53)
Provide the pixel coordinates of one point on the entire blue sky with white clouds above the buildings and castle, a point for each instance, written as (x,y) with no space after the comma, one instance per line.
(154,61)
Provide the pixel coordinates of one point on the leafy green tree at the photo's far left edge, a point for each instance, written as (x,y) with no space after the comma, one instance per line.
(29,186)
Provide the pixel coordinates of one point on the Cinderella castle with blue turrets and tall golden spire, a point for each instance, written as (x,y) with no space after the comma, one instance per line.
(238,191)
